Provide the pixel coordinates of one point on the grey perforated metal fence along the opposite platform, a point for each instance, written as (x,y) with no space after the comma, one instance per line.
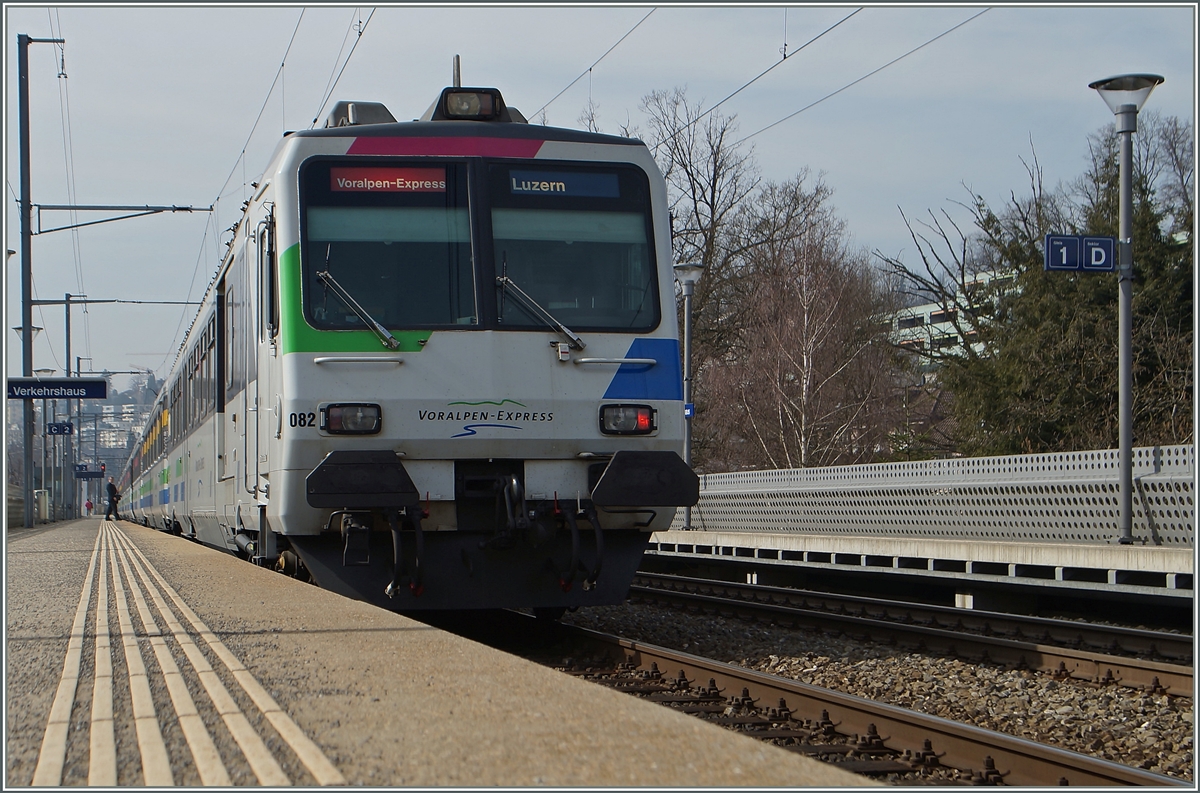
(1069,497)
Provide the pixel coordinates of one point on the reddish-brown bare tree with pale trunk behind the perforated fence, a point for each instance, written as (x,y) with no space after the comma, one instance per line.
(811,382)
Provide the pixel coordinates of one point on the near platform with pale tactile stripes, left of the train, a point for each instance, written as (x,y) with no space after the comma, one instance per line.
(139,658)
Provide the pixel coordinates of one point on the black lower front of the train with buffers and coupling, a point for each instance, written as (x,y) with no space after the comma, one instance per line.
(531,555)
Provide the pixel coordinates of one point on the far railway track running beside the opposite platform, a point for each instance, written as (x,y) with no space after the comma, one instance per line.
(1064,648)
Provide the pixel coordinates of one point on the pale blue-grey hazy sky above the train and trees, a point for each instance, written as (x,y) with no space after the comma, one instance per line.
(184,105)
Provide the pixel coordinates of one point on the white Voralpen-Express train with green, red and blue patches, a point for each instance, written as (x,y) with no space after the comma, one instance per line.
(437,369)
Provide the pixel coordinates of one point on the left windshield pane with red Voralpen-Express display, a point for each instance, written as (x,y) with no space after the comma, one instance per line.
(398,239)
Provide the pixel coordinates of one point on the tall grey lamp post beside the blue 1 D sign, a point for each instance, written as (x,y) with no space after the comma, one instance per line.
(1125,95)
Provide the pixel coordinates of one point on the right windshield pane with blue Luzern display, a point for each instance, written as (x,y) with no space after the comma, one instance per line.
(578,239)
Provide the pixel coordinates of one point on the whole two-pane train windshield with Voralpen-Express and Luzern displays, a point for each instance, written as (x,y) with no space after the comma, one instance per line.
(578,238)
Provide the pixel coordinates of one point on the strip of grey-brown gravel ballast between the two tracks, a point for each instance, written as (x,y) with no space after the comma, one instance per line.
(1117,724)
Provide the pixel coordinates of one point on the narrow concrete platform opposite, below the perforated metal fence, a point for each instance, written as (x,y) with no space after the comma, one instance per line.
(994,575)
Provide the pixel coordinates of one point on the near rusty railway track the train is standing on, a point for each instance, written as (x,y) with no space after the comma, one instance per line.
(862,736)
